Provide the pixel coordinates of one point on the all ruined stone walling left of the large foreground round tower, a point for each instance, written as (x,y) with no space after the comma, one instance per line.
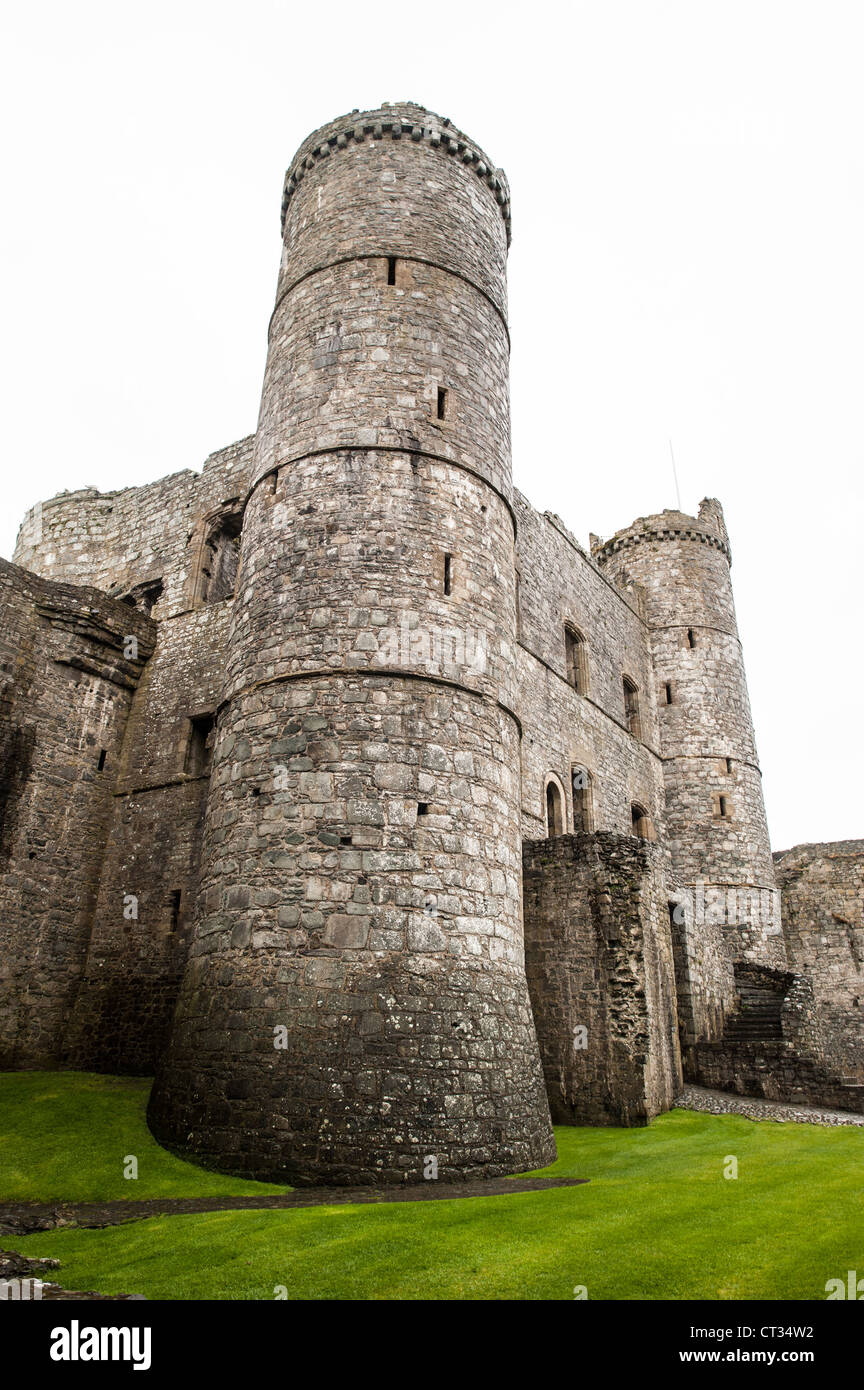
(108,982)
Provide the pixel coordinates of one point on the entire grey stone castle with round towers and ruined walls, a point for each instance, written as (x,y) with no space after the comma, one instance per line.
(354,797)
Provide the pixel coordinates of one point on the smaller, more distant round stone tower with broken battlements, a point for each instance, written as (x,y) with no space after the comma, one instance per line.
(716,817)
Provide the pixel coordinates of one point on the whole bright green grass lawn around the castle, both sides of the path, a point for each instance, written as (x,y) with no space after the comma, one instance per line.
(658,1220)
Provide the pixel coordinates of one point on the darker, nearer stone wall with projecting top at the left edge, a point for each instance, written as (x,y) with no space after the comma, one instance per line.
(67,686)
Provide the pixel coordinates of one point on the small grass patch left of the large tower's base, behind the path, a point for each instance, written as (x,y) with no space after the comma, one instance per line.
(67,1135)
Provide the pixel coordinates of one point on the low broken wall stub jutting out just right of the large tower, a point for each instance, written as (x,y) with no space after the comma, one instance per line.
(599,958)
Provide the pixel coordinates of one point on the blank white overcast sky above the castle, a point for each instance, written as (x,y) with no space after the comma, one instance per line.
(688,262)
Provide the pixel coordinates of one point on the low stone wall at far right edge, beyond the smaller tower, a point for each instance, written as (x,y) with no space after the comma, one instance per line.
(823,914)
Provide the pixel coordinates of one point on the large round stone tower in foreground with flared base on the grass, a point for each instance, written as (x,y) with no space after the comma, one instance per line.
(355,1007)
